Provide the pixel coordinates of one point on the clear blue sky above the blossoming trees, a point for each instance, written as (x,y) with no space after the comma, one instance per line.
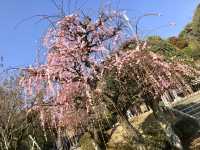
(18,45)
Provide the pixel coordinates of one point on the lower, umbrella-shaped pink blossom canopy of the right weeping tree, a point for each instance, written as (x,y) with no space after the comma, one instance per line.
(152,73)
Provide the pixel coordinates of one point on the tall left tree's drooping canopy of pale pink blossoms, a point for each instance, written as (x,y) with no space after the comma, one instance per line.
(70,73)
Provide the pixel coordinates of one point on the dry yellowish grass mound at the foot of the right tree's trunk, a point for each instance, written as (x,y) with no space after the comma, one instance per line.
(147,125)
